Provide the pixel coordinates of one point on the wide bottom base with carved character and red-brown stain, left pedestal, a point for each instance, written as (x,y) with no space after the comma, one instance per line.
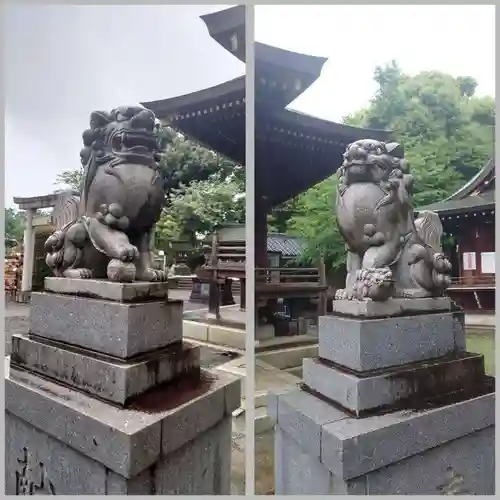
(173,440)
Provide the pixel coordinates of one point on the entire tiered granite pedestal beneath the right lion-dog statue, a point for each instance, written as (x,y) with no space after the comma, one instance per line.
(393,405)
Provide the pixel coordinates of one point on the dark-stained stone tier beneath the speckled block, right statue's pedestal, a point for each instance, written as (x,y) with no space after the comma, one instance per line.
(369,392)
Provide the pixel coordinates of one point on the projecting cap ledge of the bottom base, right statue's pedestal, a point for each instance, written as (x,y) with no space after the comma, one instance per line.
(350,447)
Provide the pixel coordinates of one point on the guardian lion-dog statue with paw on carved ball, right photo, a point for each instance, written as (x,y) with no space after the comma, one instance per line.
(390,254)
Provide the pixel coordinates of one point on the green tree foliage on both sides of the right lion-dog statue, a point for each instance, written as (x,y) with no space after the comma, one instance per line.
(448,135)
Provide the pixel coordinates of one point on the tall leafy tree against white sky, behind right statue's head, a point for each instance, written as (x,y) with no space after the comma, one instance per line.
(433,111)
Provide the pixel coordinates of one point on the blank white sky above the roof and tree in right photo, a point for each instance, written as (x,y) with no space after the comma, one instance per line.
(459,40)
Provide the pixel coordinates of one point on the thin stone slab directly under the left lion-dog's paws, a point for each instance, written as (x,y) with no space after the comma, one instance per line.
(109,290)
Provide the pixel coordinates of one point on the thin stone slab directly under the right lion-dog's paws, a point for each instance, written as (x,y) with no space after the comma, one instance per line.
(393,307)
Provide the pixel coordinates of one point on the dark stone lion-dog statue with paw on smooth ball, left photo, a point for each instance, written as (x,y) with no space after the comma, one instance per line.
(105,230)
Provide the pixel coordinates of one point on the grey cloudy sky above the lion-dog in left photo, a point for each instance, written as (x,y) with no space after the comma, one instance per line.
(63,62)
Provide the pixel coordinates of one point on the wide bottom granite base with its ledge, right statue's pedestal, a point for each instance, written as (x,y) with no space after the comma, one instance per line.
(321,450)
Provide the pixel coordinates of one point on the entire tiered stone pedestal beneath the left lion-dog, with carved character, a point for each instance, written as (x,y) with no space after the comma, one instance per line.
(103,397)
